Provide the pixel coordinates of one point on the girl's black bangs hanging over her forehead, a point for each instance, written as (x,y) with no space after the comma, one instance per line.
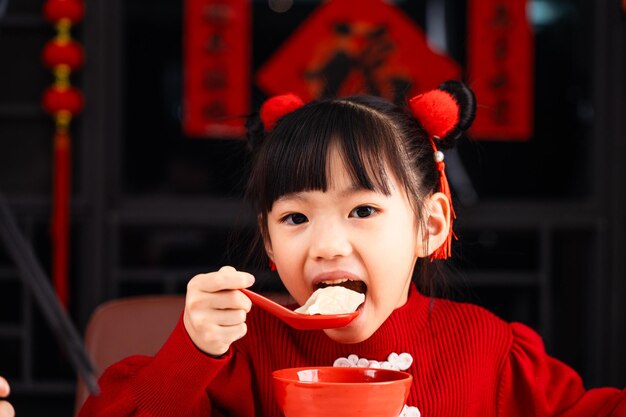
(295,156)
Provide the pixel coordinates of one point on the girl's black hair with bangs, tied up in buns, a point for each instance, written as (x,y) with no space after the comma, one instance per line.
(372,135)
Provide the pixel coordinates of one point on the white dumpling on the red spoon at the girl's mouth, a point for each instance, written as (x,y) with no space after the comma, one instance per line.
(332,300)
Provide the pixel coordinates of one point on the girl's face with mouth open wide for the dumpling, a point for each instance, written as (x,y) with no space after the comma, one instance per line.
(347,233)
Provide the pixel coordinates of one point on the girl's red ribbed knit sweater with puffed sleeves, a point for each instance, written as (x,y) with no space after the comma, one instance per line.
(466,362)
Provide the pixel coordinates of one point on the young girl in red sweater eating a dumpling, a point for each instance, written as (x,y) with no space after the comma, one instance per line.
(352,192)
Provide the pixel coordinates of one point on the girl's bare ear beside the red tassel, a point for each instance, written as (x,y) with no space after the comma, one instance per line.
(437,224)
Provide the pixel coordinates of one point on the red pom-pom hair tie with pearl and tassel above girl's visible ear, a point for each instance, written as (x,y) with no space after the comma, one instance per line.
(438,112)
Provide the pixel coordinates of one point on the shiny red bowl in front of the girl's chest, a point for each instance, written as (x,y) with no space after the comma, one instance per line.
(341,392)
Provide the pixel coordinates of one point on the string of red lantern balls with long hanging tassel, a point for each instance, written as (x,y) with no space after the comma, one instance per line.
(62,55)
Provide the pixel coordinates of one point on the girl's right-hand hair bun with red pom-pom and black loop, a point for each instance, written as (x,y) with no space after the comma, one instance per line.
(445,112)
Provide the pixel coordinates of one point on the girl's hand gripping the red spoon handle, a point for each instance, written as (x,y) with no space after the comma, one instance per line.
(215,309)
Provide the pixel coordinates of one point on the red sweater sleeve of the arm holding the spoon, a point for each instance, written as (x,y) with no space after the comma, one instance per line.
(172,383)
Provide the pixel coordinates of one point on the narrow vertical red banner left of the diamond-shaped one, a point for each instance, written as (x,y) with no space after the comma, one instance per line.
(217,60)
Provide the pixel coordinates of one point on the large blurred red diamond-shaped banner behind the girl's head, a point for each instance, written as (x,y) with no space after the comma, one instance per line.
(349,47)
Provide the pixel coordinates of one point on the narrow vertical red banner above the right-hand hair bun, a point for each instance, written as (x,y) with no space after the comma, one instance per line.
(500,69)
